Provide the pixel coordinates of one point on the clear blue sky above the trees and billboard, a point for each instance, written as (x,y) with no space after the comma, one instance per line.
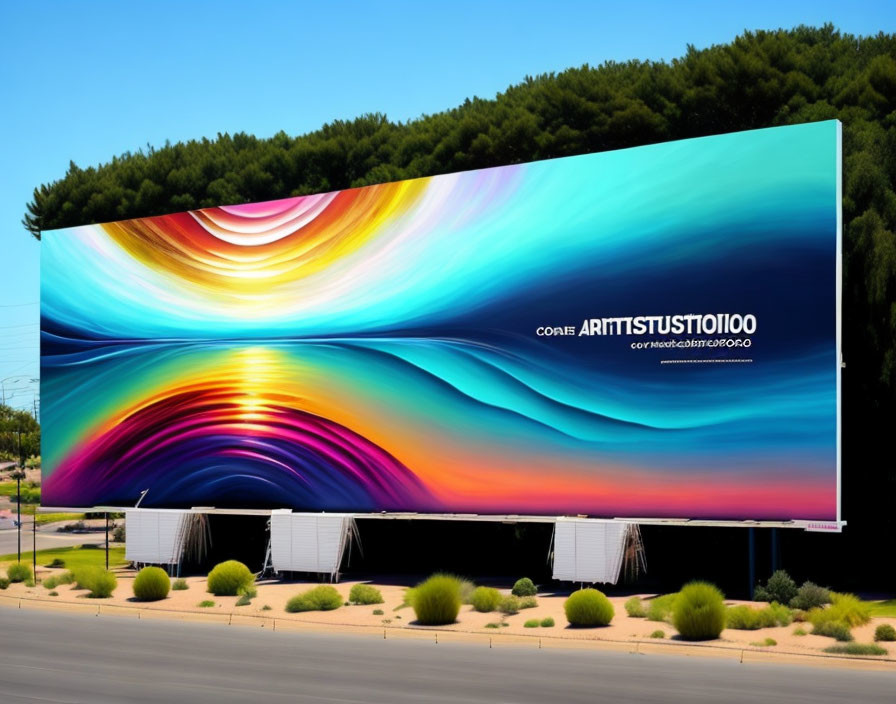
(84,81)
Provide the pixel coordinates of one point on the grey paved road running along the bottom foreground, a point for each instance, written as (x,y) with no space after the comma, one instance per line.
(50,657)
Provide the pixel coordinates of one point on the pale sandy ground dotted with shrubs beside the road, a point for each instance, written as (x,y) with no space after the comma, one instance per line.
(397,620)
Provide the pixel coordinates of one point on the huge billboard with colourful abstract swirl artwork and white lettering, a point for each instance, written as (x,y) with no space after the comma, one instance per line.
(651,332)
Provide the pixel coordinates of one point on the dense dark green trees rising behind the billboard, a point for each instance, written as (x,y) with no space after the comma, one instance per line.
(760,79)
